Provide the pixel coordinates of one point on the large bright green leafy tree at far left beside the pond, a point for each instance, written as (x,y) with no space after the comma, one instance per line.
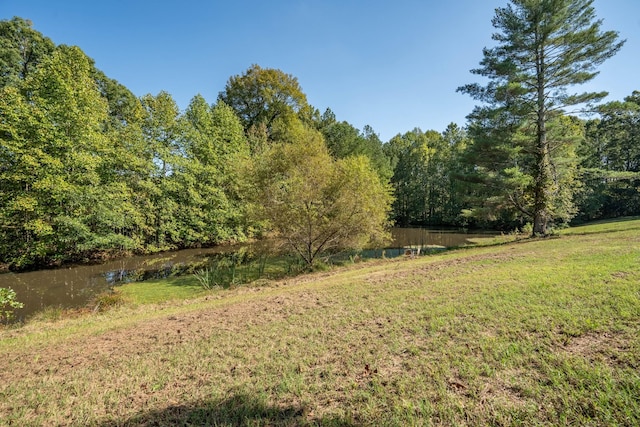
(53,140)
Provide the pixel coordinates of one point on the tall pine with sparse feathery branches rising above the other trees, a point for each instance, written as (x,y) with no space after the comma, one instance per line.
(545,47)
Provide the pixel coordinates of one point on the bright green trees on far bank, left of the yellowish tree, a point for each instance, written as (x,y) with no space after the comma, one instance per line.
(88,170)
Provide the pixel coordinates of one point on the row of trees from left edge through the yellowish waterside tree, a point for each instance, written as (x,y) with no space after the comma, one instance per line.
(88,170)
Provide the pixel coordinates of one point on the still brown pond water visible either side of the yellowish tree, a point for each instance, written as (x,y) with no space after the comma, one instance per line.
(75,286)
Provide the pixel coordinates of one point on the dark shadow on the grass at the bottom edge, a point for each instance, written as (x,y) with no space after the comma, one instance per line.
(238,410)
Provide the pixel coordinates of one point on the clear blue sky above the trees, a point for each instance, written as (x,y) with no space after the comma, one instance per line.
(394,65)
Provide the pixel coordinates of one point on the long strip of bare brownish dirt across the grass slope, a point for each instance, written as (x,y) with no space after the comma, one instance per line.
(151,336)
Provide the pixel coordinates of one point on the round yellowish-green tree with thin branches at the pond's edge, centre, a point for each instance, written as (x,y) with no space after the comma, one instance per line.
(315,203)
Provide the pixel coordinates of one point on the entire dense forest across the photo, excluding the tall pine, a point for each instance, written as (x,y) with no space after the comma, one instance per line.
(89,170)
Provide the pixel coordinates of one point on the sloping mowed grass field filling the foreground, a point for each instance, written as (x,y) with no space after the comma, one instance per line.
(535,332)
